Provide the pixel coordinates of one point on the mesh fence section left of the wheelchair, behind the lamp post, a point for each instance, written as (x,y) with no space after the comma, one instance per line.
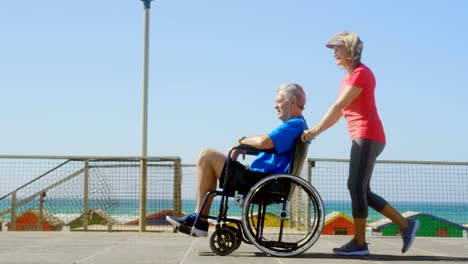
(53,189)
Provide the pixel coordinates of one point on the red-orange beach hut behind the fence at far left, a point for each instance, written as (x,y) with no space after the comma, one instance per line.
(29,221)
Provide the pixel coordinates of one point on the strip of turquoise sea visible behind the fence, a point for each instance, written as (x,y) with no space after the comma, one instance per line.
(125,210)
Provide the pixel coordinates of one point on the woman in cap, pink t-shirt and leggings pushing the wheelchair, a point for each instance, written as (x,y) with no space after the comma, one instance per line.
(356,102)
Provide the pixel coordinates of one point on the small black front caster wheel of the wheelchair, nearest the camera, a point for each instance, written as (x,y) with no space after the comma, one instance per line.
(223,241)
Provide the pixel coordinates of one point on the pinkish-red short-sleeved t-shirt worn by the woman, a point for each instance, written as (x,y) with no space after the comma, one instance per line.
(361,114)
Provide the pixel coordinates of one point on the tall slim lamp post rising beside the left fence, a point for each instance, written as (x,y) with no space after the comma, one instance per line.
(144,152)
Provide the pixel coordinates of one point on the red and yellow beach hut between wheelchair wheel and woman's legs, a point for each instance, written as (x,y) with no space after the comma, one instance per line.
(337,223)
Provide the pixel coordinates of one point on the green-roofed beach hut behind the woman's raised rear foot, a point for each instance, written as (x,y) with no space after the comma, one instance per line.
(431,226)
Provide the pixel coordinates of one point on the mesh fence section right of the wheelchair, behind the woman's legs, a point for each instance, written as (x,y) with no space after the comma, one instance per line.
(436,193)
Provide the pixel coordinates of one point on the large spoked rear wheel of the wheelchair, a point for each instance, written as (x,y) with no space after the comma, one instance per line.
(283,215)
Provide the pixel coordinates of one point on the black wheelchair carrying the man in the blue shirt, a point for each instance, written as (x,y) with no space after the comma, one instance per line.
(282,215)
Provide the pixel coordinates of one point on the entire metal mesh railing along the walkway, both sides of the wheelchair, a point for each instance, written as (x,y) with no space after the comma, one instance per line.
(102,193)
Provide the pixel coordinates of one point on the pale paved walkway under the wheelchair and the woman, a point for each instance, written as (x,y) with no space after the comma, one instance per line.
(132,247)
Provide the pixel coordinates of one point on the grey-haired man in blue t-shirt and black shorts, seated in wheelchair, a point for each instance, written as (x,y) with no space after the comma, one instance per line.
(211,164)
